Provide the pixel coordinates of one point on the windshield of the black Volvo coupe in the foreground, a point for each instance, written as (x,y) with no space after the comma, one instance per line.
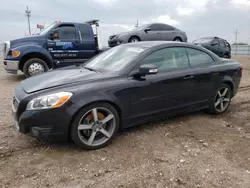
(114,59)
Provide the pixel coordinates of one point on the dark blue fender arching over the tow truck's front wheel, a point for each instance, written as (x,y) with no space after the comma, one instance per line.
(33,48)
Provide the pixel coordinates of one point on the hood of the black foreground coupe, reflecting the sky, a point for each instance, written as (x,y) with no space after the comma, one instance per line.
(61,77)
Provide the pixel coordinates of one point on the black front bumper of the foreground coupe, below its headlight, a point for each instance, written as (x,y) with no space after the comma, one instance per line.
(50,124)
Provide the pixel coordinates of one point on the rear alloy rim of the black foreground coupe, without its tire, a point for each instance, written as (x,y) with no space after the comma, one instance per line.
(222,99)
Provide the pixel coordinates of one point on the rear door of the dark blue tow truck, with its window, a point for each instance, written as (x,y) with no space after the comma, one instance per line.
(87,46)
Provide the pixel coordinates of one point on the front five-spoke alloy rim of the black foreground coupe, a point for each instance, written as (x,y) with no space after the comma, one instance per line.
(96,126)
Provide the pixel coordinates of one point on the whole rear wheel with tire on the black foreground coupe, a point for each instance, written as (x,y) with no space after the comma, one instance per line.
(225,99)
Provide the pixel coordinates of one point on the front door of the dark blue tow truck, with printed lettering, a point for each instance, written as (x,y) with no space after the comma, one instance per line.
(65,46)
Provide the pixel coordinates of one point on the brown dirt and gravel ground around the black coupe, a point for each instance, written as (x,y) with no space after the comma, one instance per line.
(195,150)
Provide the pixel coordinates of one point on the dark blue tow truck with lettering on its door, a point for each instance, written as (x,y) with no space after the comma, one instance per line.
(60,44)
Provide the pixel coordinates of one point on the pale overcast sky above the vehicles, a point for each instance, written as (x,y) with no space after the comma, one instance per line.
(196,17)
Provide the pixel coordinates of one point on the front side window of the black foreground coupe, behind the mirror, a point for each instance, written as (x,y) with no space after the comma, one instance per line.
(168,59)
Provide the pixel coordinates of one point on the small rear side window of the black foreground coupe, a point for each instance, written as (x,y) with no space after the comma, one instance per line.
(197,57)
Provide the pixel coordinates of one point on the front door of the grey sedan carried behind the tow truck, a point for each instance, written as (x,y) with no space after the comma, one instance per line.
(154,34)
